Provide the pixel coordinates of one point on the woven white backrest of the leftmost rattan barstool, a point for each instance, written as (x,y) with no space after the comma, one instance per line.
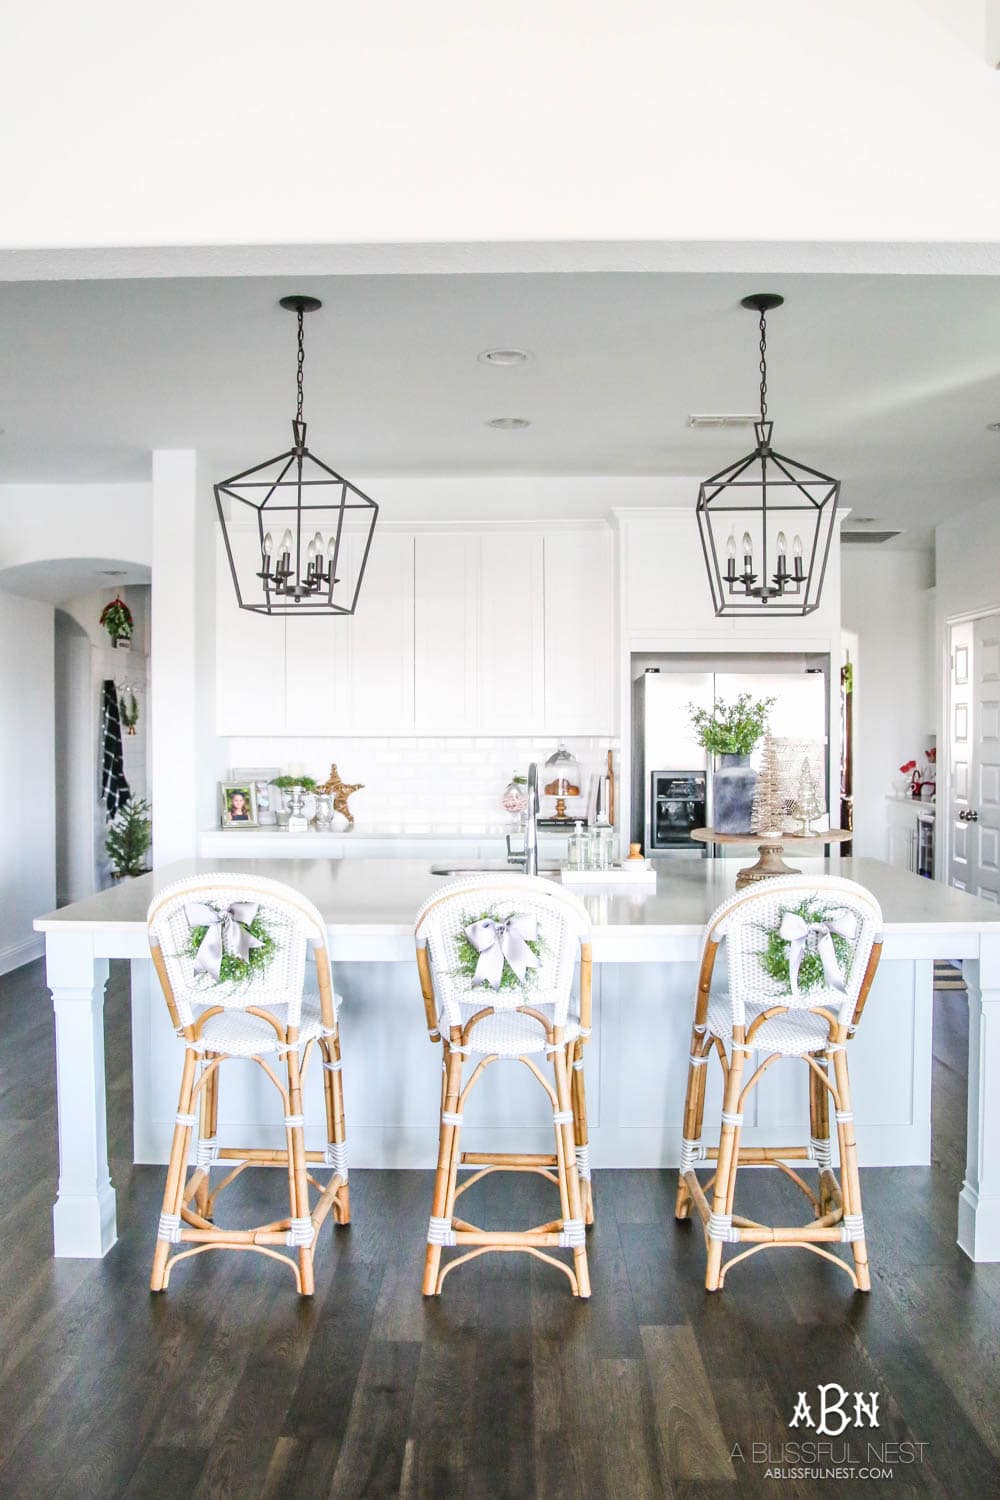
(290,923)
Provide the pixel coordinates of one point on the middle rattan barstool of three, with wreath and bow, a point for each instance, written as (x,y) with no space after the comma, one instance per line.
(527,1022)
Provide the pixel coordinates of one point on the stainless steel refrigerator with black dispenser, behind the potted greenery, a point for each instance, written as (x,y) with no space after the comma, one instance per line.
(672,785)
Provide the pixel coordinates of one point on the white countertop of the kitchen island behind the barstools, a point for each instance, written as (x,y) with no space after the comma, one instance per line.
(371,898)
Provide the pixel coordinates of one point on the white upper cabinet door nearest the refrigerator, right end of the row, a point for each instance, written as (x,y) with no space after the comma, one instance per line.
(579,632)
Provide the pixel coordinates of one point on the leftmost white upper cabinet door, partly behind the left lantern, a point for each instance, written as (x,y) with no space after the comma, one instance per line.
(250,650)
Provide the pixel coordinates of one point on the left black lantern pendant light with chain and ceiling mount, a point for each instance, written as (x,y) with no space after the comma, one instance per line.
(301,536)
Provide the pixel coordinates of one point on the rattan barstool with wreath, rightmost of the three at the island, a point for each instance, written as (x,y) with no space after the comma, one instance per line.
(773,1018)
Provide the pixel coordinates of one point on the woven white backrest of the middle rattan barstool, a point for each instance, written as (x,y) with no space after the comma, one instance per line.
(555,922)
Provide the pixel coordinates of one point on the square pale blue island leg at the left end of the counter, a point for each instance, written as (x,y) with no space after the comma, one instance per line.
(85,1214)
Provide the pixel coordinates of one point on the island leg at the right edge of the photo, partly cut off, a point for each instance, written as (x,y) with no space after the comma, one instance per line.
(980,1199)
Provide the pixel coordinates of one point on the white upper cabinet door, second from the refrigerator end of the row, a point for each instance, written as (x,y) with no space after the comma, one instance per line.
(512,628)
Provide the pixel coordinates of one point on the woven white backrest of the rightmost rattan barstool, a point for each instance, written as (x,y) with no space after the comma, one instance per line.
(848,911)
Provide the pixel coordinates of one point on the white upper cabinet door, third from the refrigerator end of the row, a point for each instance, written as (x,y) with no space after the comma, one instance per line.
(446,580)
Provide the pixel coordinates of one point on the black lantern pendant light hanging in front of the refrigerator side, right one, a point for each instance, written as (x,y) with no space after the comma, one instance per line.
(749,512)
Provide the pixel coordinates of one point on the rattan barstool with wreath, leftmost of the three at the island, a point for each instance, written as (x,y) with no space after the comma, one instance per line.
(260,1016)
